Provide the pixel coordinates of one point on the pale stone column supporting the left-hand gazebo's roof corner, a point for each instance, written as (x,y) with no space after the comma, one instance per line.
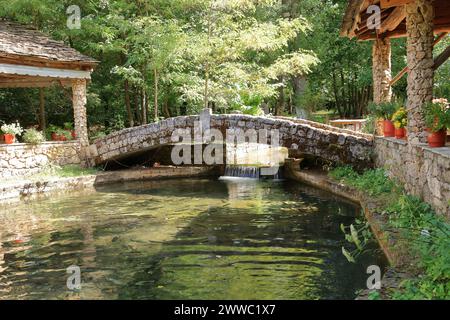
(79,110)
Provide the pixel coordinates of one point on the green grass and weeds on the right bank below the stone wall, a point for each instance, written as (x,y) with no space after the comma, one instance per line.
(426,234)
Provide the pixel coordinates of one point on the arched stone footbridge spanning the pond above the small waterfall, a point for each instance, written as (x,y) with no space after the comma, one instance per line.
(305,137)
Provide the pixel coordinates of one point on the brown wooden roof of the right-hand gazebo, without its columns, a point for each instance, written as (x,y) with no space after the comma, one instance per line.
(393,19)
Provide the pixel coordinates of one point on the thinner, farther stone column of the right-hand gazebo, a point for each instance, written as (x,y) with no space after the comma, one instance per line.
(382,76)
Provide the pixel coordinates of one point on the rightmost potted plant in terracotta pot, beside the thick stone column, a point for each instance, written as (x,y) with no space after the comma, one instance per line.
(437,119)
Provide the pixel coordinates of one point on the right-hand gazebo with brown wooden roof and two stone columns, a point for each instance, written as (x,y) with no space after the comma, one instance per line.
(424,23)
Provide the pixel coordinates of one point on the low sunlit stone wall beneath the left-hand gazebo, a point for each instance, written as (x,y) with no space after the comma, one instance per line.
(24,159)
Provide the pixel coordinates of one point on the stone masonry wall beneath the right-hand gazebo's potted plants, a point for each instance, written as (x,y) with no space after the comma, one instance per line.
(425,172)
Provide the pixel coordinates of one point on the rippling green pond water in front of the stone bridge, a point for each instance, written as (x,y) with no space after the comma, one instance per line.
(181,239)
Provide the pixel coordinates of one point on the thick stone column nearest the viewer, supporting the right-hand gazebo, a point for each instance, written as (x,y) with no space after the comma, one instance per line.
(419,24)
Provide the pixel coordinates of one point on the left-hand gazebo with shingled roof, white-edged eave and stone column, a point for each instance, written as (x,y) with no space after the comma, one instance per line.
(30,59)
